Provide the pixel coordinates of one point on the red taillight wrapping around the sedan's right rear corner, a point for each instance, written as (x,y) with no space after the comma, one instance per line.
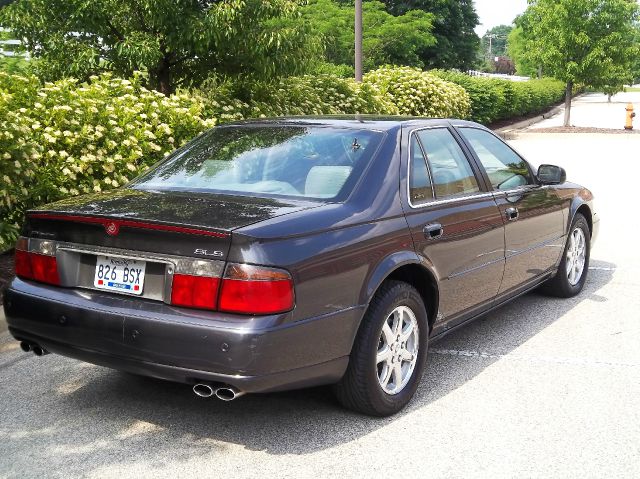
(250,289)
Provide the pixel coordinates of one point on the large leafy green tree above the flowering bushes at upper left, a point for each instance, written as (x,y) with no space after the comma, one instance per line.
(177,42)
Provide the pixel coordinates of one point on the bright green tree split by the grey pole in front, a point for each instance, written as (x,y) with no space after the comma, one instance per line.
(388,39)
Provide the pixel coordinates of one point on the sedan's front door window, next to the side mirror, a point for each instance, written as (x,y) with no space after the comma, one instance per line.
(506,170)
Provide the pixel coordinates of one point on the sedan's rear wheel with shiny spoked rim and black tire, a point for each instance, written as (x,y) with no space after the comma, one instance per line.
(389,354)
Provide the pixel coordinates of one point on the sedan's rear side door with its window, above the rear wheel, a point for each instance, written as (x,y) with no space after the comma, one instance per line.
(455,223)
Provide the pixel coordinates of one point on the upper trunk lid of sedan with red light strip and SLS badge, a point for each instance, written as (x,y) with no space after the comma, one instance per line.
(176,223)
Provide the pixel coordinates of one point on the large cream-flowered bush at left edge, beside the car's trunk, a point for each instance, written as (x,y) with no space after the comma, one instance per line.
(65,139)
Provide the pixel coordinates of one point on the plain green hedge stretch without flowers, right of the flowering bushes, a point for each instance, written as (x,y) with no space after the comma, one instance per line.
(494,99)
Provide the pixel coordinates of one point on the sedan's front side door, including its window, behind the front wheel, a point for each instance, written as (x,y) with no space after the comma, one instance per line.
(533,214)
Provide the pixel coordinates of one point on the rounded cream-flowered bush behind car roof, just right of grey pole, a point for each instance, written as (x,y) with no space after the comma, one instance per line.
(419,93)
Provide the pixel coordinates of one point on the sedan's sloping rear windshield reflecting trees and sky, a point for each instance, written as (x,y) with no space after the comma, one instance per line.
(296,161)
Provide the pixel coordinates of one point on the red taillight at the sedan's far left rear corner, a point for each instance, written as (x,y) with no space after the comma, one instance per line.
(39,264)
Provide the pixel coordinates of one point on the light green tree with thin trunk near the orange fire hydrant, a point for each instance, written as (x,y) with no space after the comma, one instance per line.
(589,42)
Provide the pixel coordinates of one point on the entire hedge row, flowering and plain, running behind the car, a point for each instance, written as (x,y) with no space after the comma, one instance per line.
(68,138)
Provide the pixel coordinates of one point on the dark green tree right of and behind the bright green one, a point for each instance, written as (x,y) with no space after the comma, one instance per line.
(454,22)
